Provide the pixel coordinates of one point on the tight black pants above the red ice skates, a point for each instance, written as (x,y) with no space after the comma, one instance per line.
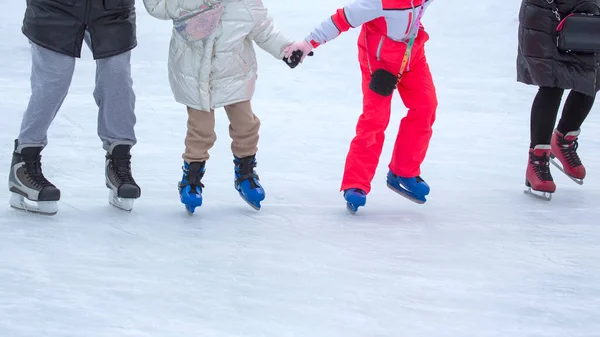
(544,112)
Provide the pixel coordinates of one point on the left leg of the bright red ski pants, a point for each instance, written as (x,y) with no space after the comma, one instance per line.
(366,147)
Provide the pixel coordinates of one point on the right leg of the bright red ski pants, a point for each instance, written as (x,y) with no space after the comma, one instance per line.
(418,94)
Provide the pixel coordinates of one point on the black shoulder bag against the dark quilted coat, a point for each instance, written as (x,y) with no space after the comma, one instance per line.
(577,32)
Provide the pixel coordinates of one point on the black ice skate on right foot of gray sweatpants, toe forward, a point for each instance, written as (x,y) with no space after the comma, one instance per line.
(123,188)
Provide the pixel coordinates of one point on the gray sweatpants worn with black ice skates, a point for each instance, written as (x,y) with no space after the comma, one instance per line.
(51,76)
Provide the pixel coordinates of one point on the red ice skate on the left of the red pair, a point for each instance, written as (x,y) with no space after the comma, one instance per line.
(538,178)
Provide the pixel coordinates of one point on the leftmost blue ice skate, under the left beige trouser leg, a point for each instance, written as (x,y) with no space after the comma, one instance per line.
(190,186)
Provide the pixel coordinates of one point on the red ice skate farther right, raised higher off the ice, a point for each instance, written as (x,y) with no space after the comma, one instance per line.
(564,155)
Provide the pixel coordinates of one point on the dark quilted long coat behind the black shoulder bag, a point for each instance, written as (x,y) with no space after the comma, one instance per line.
(539,62)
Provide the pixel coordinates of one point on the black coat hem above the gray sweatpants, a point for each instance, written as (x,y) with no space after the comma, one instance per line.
(60,25)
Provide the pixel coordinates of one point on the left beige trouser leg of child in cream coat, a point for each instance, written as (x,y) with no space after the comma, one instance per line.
(200,135)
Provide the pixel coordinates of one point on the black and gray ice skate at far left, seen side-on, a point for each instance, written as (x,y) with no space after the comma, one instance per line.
(26,181)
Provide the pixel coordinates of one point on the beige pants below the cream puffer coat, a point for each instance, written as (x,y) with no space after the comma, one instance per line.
(201,136)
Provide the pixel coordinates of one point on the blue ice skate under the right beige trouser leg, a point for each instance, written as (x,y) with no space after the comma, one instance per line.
(247,181)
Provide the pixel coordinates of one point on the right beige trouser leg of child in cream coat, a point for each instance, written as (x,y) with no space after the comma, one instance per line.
(243,129)
